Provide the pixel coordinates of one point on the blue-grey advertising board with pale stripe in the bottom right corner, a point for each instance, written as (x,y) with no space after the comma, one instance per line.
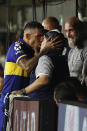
(72,116)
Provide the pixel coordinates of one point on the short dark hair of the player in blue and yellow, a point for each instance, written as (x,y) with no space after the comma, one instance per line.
(33,25)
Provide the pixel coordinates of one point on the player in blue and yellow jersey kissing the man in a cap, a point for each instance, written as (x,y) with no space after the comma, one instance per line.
(20,60)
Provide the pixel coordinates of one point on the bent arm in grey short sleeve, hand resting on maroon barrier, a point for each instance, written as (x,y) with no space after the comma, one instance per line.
(43,73)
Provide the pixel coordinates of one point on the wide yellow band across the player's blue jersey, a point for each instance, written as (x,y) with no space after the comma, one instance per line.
(14,69)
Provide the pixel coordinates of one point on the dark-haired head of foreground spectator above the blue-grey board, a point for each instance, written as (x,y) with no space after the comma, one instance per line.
(64,91)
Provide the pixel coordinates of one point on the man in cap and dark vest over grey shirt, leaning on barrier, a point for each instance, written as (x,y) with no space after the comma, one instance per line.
(52,68)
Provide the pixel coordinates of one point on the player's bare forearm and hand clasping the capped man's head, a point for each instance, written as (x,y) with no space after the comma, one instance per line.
(49,46)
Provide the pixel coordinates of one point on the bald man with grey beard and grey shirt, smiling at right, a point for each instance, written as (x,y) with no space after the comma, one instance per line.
(77,58)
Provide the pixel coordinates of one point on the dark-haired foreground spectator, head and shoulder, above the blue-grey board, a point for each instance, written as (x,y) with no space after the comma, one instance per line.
(70,90)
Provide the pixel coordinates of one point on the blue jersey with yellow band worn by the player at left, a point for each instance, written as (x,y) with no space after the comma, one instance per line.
(15,77)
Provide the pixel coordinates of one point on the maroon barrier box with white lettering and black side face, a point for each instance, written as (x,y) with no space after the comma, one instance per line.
(32,115)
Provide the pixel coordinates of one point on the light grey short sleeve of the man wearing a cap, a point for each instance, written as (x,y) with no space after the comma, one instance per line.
(44,66)
